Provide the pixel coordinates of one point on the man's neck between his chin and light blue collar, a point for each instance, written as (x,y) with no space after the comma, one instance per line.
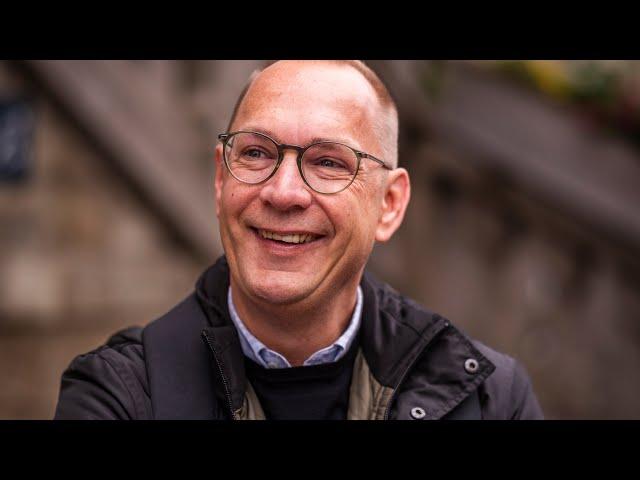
(297,330)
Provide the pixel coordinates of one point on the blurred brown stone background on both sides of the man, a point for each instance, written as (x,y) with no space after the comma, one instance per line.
(523,229)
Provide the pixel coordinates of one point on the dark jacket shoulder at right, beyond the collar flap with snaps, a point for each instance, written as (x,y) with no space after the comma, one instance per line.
(507,394)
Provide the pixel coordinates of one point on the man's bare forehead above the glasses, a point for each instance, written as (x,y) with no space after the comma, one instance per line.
(297,101)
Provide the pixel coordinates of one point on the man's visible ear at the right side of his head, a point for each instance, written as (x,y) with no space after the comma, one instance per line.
(394,203)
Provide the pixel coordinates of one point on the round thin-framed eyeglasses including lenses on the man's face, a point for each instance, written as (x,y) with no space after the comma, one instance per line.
(326,167)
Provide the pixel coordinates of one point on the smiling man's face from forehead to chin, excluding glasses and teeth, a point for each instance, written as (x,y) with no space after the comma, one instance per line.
(299,103)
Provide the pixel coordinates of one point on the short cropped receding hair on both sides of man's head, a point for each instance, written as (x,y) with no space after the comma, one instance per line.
(385,99)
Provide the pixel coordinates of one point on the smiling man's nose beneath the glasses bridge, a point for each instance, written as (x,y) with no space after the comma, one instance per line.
(286,190)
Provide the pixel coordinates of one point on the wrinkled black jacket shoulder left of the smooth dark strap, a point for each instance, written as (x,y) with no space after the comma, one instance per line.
(109,382)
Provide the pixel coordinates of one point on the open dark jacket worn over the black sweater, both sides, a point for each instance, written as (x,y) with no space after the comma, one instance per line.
(188,364)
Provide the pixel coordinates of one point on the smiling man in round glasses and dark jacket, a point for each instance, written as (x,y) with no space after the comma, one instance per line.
(287,325)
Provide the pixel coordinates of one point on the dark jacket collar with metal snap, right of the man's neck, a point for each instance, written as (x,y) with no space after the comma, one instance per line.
(418,353)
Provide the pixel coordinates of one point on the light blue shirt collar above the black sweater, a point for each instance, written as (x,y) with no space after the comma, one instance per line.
(259,353)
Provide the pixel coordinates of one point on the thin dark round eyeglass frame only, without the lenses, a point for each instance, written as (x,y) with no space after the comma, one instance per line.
(281,147)
